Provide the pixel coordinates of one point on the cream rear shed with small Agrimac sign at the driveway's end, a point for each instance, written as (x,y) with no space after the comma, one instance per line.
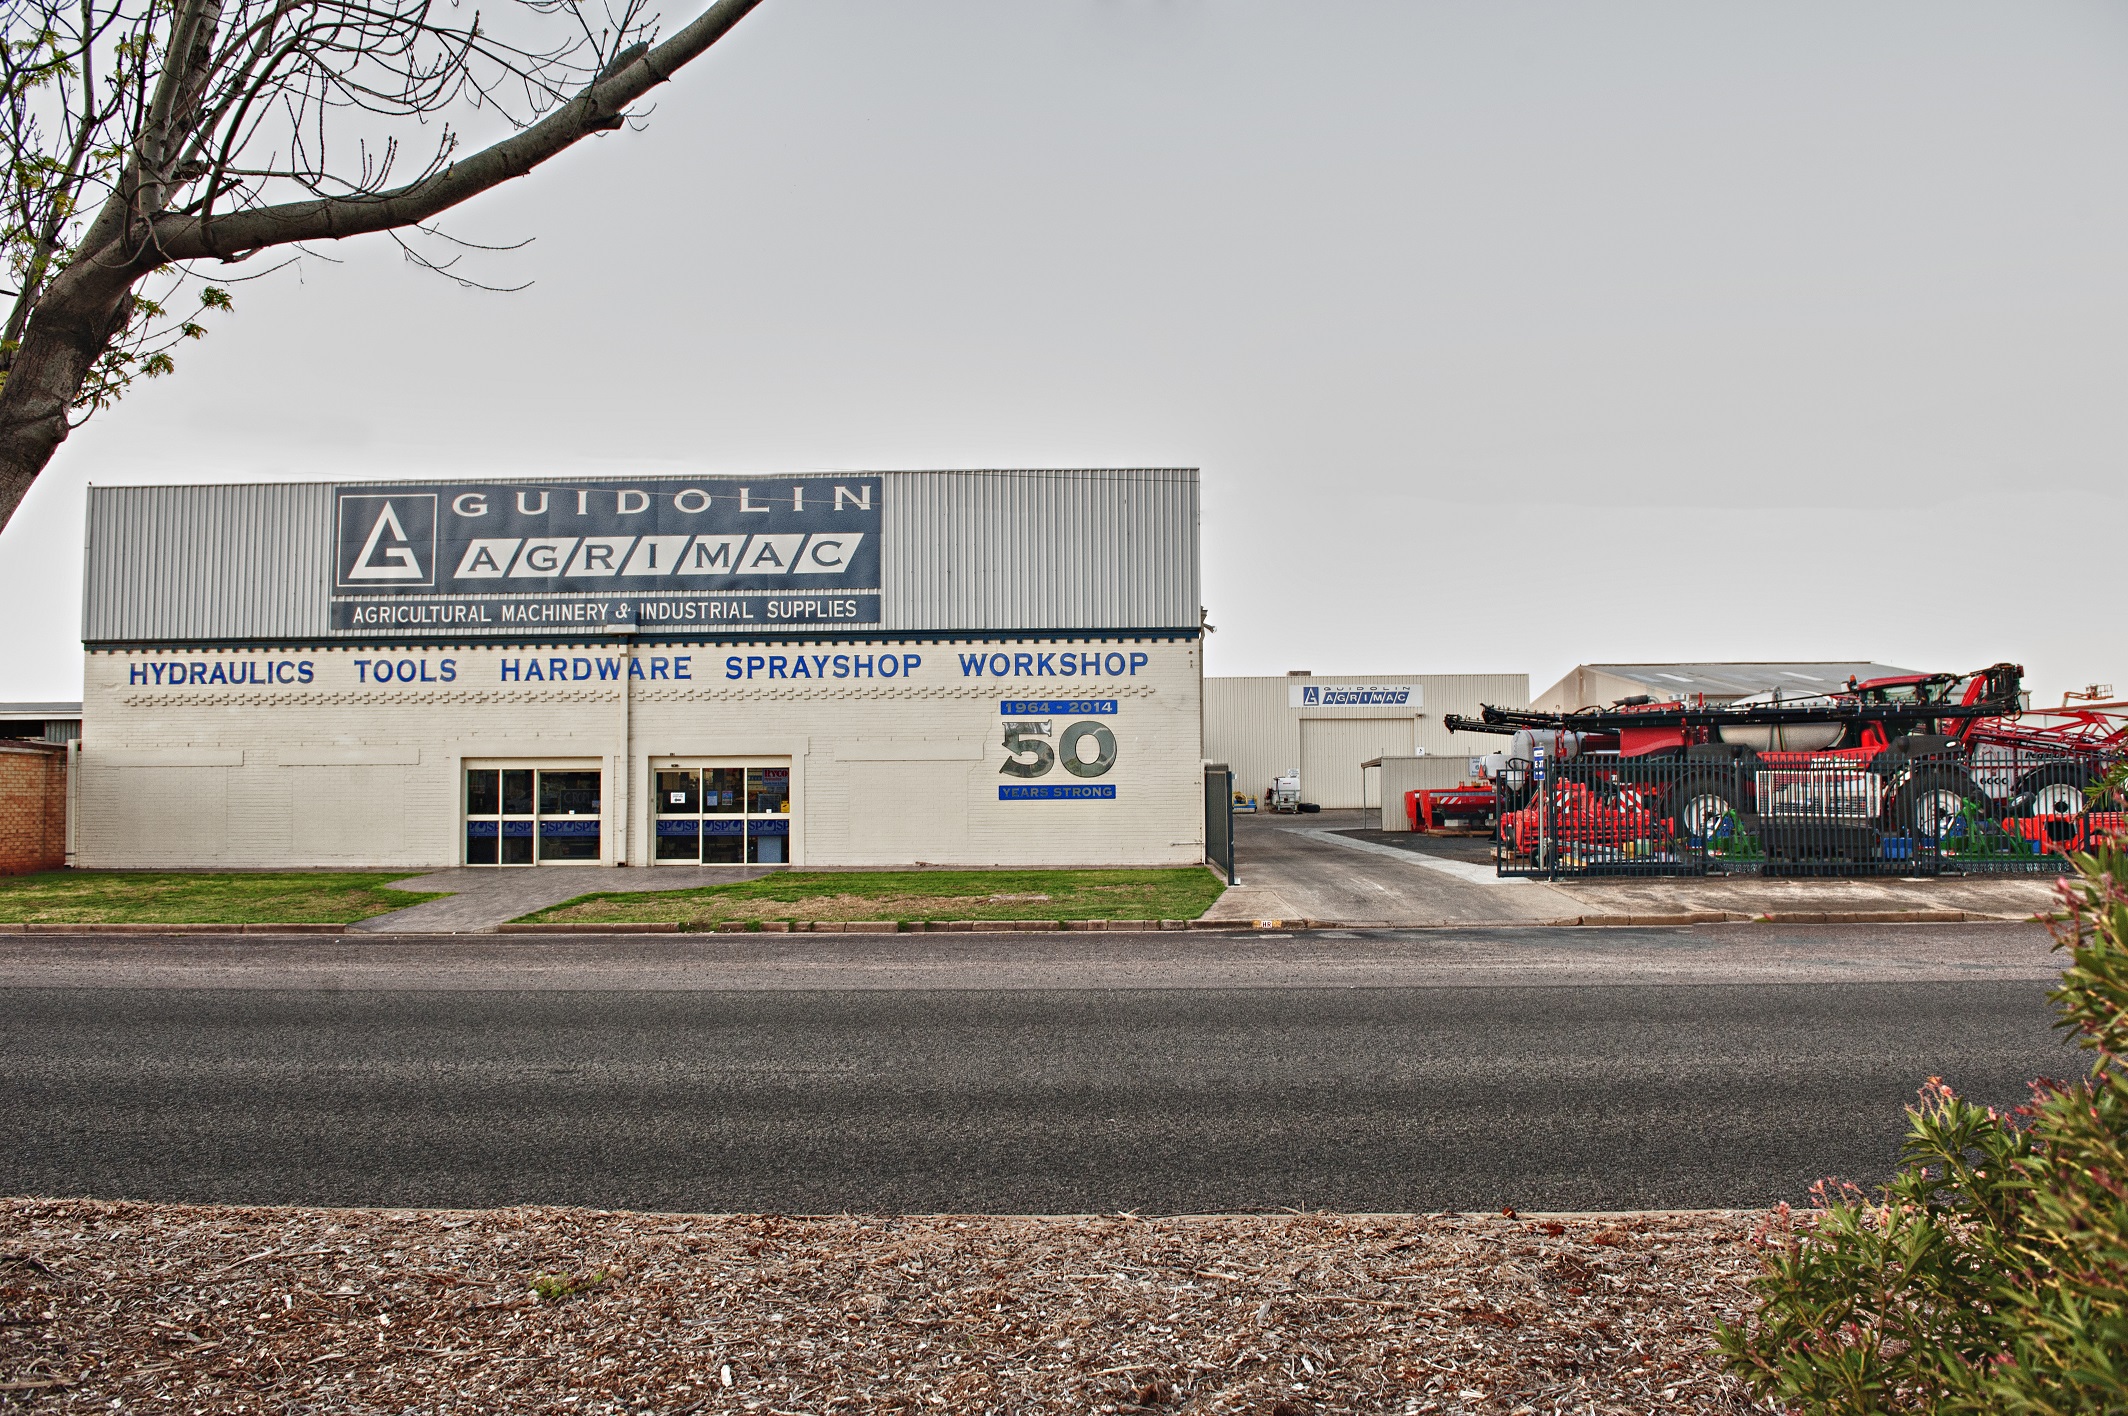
(1350,736)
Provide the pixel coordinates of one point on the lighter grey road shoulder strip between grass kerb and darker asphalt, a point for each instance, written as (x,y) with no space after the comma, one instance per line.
(1497,957)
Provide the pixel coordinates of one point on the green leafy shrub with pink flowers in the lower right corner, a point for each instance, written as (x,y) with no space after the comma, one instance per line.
(1993,1274)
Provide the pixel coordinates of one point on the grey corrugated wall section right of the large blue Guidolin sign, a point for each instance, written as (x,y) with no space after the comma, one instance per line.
(1042,550)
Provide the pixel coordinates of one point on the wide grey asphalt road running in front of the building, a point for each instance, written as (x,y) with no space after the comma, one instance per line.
(867,1081)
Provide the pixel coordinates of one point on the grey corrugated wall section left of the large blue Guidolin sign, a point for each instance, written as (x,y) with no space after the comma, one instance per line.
(248,561)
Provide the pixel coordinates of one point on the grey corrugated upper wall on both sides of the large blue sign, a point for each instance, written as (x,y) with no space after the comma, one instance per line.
(971,550)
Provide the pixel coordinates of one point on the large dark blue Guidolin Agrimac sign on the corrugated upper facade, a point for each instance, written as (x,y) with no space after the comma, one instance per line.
(573,557)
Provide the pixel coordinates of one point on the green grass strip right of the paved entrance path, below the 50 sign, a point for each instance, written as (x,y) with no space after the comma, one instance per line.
(910,895)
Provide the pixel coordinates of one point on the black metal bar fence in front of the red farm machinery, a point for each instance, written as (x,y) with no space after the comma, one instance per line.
(1733,812)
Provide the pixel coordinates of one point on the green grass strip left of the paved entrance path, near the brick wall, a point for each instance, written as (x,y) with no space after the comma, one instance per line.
(184,898)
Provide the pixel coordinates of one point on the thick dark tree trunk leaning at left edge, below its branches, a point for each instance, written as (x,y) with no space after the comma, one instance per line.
(71,329)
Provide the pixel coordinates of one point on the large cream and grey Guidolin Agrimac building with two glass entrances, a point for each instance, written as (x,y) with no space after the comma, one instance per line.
(833,670)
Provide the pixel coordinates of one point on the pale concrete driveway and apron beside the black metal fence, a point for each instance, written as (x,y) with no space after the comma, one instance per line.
(1337,866)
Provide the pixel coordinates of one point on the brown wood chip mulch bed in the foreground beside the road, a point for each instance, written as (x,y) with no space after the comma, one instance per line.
(173,1308)
